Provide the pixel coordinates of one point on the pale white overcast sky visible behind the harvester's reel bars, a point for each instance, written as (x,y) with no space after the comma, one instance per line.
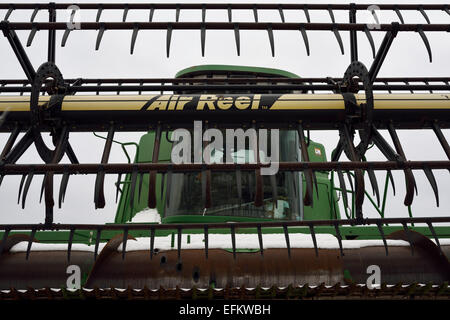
(407,57)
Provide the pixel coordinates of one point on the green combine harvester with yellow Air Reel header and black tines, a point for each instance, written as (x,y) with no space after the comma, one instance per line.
(226,230)
